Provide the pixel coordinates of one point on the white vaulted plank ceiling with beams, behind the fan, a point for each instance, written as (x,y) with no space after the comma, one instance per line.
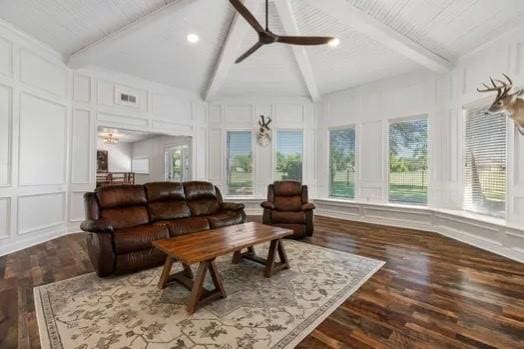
(147,38)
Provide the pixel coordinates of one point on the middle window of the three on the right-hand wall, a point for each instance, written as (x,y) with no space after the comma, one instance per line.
(408,162)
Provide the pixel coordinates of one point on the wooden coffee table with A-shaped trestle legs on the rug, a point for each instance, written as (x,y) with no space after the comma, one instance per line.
(204,247)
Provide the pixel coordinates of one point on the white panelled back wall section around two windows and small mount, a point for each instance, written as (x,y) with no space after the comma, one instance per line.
(243,114)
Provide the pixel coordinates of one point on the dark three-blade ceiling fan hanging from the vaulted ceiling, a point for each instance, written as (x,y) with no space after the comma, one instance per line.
(266,37)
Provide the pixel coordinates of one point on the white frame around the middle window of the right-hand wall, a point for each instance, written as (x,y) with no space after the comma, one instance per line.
(387,125)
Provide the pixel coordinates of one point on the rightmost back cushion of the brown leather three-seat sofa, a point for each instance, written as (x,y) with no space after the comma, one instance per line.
(202,198)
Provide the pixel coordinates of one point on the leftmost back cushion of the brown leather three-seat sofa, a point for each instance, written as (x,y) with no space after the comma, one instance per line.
(123,206)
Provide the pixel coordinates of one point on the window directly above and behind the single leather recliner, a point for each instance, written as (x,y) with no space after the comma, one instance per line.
(289,155)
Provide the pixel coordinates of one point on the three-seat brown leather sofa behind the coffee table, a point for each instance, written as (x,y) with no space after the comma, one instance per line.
(123,220)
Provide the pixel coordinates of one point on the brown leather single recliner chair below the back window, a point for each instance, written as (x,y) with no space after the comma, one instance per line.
(287,206)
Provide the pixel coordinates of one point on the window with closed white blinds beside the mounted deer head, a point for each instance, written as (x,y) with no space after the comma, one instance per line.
(485,163)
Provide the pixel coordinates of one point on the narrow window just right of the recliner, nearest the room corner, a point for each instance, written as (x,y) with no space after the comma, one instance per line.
(342,163)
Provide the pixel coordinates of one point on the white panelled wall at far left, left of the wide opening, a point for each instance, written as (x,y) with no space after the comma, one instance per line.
(35,113)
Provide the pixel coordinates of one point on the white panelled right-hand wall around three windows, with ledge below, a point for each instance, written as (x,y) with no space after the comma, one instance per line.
(442,98)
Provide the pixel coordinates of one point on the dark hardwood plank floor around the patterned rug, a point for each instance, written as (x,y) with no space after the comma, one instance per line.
(432,292)
